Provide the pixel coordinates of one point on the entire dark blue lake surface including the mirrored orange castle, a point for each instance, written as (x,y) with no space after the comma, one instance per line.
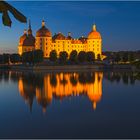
(70,105)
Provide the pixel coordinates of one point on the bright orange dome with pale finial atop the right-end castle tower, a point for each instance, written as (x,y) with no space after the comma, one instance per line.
(94,34)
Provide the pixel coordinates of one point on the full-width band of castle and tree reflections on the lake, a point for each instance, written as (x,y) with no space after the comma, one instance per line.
(44,88)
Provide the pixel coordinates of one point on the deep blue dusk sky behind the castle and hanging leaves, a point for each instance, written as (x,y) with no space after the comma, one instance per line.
(118,22)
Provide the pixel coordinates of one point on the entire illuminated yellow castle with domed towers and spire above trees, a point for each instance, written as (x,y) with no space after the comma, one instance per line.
(46,42)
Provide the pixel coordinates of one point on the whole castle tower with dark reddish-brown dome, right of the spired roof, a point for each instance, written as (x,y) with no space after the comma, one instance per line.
(44,40)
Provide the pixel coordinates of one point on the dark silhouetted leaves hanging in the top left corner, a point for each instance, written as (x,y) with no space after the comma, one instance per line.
(5,8)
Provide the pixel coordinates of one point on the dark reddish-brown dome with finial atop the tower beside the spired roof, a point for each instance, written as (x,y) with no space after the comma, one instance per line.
(43,31)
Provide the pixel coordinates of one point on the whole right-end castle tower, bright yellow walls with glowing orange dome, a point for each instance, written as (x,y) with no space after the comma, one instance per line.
(94,42)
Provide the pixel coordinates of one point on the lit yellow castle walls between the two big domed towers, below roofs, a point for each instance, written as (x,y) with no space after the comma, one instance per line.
(47,46)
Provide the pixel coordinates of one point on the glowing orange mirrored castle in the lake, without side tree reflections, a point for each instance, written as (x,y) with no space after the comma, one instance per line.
(60,85)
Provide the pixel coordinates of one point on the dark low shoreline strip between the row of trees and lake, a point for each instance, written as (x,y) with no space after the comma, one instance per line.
(71,68)
